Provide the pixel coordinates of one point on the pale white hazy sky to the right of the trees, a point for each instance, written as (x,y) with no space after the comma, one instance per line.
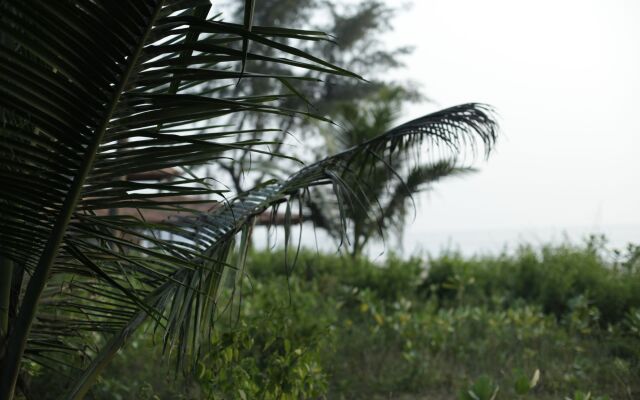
(564,77)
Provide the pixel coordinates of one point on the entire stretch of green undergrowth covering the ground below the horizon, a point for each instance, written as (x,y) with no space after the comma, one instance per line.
(449,327)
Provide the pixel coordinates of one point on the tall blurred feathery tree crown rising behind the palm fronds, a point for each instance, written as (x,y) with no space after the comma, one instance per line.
(356,32)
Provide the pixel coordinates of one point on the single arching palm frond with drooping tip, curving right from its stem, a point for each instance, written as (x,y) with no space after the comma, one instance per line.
(188,302)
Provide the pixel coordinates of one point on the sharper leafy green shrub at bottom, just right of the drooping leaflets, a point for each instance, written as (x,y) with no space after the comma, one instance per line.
(265,358)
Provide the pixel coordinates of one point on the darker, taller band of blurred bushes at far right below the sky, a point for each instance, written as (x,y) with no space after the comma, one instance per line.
(559,279)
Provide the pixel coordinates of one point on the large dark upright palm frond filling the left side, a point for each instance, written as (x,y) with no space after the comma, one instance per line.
(90,93)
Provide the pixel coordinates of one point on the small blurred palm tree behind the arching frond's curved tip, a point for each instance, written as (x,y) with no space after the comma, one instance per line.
(386,189)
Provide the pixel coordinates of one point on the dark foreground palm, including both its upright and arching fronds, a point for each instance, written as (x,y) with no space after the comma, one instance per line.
(93,92)
